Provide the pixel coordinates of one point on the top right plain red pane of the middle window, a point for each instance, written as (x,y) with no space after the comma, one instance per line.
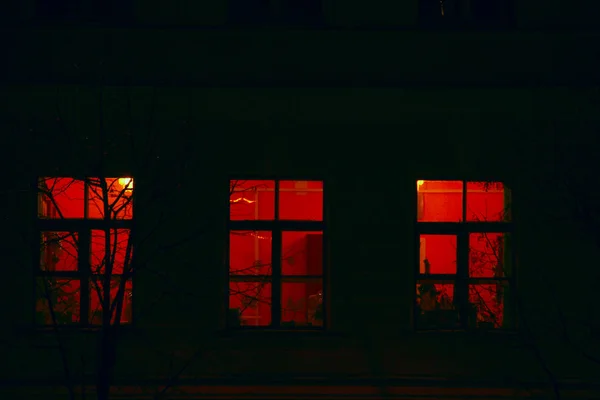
(301,200)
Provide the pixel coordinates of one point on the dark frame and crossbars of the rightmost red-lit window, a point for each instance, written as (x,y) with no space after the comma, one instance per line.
(462,230)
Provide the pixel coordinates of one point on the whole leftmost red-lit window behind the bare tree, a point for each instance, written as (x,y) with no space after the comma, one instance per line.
(85,250)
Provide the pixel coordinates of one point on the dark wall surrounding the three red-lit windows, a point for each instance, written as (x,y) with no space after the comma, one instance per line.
(369,147)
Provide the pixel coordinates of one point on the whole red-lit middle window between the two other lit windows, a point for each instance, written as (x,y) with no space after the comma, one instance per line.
(276,231)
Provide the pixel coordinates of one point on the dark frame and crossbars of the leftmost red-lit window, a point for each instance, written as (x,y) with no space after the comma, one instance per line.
(82,228)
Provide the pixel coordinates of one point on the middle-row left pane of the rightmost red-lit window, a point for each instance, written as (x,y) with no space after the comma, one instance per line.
(437,254)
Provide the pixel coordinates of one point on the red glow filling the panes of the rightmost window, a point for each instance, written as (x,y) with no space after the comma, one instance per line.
(443,201)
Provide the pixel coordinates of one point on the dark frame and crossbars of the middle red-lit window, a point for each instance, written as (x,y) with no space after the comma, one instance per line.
(276,227)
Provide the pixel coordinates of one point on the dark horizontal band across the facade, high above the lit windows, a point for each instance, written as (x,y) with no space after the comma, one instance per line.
(301,58)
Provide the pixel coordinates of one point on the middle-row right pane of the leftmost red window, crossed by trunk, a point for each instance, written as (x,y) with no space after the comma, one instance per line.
(117,253)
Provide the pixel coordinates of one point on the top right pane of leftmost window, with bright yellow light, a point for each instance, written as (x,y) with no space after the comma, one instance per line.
(120,198)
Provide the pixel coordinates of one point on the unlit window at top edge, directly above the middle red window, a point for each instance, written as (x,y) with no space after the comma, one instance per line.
(292,12)
